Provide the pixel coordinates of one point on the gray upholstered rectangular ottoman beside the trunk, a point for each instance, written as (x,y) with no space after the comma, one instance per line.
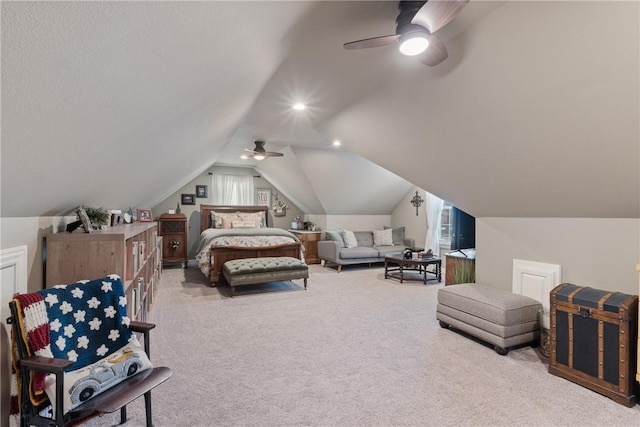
(499,317)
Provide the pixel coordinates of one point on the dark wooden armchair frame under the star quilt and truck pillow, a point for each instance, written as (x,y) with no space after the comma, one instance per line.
(33,406)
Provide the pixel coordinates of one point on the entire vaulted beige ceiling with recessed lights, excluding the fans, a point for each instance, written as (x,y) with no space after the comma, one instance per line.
(535,113)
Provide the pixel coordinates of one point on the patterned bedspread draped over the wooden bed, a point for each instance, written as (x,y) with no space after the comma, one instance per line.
(244,237)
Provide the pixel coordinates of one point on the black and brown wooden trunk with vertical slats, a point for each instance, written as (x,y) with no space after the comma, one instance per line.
(593,340)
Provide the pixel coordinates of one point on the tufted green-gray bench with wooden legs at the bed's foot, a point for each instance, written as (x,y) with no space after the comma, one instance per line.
(250,271)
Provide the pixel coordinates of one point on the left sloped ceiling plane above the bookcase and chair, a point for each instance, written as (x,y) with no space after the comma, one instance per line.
(118,104)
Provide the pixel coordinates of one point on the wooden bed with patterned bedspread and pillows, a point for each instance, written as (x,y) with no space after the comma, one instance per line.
(242,232)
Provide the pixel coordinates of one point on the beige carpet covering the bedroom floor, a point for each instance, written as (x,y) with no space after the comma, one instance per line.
(353,350)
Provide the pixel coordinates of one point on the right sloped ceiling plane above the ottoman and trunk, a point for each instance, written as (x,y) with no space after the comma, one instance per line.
(536,115)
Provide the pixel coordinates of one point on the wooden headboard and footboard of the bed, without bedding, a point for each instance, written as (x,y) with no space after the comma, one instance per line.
(218,255)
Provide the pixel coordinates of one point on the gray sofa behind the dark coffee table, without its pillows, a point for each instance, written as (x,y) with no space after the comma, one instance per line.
(332,250)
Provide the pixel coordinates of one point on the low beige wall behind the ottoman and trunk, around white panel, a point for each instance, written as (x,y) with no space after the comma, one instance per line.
(600,253)
